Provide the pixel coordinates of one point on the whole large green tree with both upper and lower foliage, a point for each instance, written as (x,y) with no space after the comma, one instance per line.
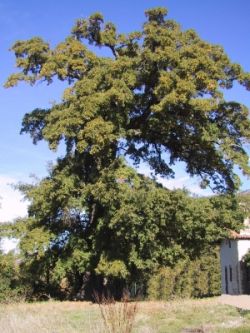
(158,98)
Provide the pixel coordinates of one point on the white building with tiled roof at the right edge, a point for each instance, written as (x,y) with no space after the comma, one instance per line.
(235,276)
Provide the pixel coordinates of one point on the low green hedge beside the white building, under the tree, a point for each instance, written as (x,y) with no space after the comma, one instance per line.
(188,278)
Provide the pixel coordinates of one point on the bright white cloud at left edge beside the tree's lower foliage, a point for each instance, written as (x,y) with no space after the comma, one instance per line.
(11,201)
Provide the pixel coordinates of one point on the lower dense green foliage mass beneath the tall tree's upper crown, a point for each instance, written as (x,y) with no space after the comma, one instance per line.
(140,227)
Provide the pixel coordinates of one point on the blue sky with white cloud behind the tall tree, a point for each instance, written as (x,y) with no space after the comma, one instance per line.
(221,22)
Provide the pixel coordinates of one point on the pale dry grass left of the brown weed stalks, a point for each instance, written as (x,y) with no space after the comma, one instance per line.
(51,317)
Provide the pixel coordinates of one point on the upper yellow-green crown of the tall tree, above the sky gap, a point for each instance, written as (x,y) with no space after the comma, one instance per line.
(158,98)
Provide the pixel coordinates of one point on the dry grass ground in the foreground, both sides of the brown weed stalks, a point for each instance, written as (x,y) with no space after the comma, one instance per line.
(152,317)
